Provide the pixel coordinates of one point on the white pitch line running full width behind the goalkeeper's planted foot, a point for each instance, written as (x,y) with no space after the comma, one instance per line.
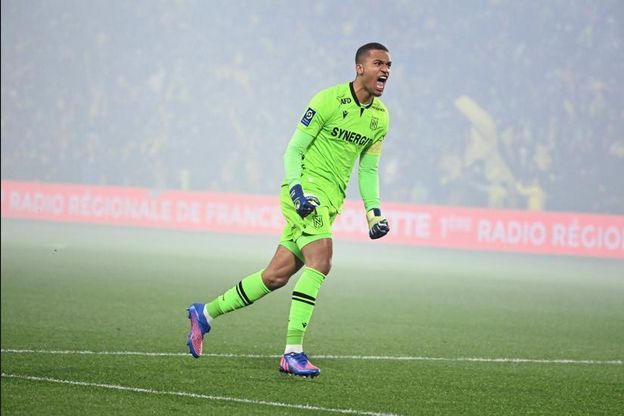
(327,357)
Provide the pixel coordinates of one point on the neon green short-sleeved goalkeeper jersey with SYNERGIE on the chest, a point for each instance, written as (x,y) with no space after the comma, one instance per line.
(343,130)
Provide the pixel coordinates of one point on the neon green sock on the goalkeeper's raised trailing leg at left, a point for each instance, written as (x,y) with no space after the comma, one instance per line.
(246,292)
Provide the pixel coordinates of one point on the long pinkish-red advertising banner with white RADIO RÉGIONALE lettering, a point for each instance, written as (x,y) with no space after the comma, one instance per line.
(425,225)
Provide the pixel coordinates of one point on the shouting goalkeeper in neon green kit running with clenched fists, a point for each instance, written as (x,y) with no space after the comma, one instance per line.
(342,124)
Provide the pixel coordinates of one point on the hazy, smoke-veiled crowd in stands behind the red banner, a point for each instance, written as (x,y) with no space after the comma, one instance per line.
(493,103)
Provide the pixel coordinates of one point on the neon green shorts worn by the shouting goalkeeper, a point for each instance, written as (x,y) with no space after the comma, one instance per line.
(298,231)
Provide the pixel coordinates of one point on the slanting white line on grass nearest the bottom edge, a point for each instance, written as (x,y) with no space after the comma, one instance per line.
(197,395)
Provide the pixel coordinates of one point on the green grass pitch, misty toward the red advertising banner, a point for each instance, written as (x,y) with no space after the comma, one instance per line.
(115,290)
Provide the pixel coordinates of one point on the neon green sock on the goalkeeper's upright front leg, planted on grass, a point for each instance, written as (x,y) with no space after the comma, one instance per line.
(302,304)
